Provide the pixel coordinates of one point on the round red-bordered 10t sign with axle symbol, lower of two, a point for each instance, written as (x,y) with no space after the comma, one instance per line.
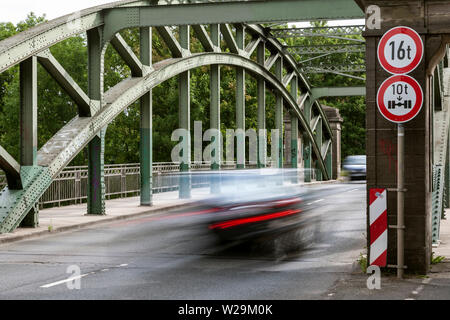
(399,98)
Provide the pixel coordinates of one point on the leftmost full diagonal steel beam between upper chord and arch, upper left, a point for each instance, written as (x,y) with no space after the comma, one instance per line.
(62,77)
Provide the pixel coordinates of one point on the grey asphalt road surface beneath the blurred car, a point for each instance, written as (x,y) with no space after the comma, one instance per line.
(157,257)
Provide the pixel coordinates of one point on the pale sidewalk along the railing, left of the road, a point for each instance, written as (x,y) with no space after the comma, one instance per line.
(72,217)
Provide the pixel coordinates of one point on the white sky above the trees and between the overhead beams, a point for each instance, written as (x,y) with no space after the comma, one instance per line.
(17,10)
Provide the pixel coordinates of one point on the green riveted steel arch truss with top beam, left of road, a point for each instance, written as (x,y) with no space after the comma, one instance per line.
(29,177)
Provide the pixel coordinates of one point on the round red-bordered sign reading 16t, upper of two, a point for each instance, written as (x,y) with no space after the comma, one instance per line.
(400,50)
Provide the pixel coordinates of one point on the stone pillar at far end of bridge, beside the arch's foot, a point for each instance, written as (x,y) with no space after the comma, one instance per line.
(335,120)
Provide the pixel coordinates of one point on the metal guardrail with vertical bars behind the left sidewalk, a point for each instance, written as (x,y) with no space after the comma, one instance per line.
(121,180)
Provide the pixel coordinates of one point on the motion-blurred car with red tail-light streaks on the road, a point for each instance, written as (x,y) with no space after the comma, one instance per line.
(260,208)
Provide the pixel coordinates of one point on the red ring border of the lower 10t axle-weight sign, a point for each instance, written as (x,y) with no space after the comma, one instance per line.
(414,110)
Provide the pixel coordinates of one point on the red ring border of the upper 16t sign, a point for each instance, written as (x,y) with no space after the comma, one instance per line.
(419,52)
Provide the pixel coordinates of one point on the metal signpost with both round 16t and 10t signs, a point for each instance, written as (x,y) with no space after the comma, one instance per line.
(400,99)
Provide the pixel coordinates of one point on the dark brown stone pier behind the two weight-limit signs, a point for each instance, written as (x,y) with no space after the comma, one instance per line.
(431,20)
